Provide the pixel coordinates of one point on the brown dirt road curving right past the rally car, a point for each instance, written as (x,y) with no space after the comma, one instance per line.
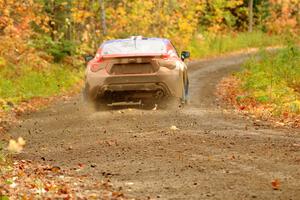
(215,154)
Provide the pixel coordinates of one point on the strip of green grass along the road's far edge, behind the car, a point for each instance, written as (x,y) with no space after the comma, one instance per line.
(211,45)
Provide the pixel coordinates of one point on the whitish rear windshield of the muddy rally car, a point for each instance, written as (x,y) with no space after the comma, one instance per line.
(130,46)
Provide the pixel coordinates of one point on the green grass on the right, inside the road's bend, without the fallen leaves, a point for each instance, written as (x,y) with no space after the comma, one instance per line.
(275,79)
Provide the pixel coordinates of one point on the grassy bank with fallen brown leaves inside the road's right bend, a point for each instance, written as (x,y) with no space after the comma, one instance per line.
(267,87)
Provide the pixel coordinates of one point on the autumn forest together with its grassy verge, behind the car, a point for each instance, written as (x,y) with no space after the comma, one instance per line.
(42,43)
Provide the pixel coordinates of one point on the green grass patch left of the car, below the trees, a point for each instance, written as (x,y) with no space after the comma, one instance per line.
(22,82)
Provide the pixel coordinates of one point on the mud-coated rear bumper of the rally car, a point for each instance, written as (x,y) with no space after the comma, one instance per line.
(168,81)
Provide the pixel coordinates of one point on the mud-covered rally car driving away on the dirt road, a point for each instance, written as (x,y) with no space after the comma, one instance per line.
(134,70)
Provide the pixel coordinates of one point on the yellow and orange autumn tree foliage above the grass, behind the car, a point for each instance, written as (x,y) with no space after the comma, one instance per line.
(62,28)
